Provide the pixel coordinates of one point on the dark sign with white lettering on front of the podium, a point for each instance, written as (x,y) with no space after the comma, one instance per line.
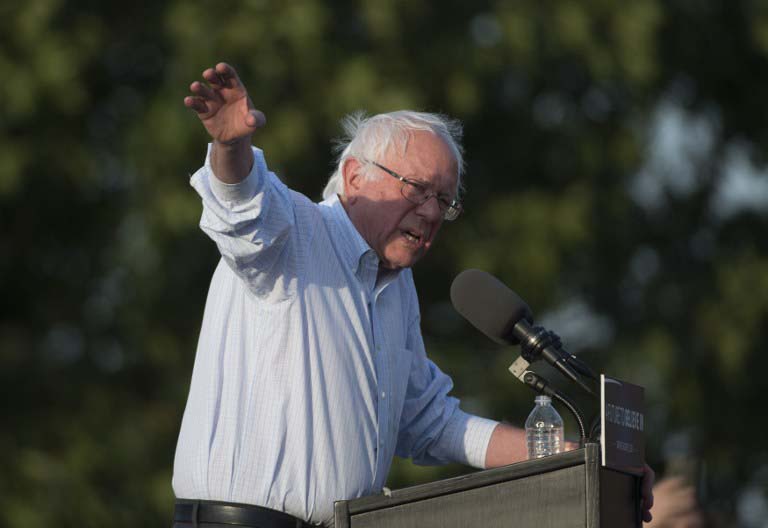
(622,409)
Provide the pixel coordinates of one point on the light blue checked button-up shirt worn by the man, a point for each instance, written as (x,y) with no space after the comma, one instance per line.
(310,373)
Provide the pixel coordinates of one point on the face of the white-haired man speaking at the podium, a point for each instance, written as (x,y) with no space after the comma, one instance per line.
(399,231)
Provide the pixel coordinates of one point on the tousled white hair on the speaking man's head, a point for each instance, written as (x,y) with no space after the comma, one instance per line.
(371,137)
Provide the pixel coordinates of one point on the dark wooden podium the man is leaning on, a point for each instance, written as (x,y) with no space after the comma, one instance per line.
(568,490)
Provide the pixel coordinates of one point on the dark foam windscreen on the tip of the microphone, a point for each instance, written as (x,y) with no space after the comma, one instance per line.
(489,305)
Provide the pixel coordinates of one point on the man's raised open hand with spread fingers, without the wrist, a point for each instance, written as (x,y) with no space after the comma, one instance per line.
(223,105)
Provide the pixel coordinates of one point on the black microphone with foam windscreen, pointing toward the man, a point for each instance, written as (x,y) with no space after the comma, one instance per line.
(503,316)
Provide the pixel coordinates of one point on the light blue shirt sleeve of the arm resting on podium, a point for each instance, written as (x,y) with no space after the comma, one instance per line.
(433,429)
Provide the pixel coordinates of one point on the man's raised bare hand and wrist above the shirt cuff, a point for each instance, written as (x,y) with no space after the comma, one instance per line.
(227,113)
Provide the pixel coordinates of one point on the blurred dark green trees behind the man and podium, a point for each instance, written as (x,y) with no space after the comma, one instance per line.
(617,181)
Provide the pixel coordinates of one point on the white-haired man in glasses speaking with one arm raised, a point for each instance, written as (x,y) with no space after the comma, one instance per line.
(310,373)
